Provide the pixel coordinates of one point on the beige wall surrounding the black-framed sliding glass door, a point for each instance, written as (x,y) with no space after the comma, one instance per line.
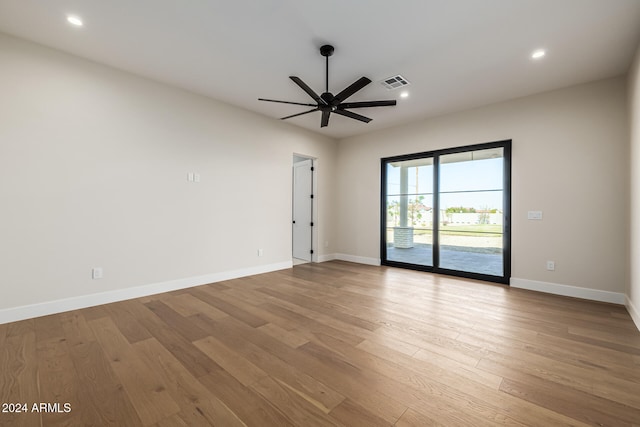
(569,160)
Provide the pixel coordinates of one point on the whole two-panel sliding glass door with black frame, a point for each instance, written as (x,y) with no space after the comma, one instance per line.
(448,211)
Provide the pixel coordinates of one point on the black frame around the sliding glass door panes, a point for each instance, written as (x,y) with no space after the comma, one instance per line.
(506,252)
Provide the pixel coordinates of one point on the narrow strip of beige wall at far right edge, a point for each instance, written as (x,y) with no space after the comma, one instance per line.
(633,292)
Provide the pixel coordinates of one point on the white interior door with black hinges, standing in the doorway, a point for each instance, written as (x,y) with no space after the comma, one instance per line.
(302,209)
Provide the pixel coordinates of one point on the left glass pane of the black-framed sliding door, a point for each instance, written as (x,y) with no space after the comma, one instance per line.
(409,211)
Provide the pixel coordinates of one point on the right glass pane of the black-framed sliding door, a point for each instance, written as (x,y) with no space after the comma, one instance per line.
(470,219)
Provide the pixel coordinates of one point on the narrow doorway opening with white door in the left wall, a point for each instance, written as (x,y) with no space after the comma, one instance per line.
(304,236)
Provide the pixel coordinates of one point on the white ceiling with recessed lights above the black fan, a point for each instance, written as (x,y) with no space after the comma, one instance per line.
(457,54)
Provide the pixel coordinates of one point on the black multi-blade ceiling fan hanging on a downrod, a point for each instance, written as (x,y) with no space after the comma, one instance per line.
(329,103)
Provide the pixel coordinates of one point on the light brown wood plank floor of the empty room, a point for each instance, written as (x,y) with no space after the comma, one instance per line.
(324,345)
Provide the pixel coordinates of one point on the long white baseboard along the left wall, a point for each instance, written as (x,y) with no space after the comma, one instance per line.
(14,314)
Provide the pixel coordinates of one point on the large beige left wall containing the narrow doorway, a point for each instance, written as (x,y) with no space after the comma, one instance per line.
(93,173)
